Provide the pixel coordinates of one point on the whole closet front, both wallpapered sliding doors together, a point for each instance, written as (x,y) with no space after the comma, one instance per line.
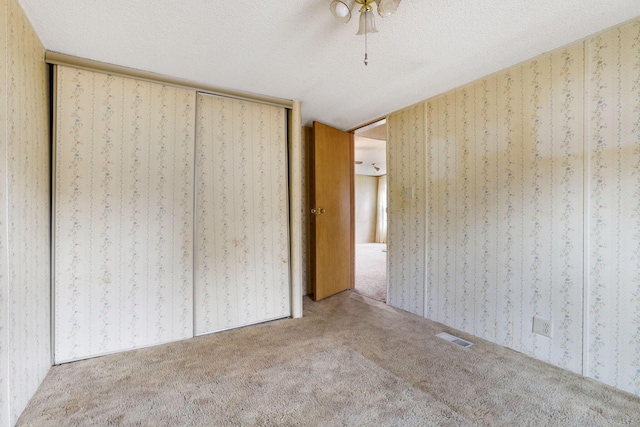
(170,213)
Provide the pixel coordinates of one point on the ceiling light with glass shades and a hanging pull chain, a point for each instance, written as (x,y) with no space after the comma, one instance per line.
(341,10)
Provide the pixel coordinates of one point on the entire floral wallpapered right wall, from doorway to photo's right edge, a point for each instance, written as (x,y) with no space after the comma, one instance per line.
(510,171)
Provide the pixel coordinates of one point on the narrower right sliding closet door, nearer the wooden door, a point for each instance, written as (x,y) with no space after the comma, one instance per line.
(242,242)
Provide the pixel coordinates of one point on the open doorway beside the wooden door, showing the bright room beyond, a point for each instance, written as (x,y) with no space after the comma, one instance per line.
(370,186)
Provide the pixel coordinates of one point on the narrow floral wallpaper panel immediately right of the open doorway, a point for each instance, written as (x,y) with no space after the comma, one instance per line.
(406,221)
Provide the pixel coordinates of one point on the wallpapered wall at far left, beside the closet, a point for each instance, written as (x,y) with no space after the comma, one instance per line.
(25,355)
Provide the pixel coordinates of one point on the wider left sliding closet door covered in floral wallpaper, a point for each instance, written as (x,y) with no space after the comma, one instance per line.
(123,214)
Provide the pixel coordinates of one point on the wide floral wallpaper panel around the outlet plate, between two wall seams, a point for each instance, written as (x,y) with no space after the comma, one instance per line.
(505,198)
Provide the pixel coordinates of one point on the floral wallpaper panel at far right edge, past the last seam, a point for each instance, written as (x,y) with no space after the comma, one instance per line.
(613,270)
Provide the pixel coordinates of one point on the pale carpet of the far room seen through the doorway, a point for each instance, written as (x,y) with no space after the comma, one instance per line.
(371,270)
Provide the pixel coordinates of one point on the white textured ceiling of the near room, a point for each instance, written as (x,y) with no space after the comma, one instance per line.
(294,49)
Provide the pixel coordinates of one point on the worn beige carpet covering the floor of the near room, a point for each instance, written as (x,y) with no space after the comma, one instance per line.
(351,361)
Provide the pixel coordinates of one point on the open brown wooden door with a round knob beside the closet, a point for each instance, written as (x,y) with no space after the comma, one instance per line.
(332,228)
